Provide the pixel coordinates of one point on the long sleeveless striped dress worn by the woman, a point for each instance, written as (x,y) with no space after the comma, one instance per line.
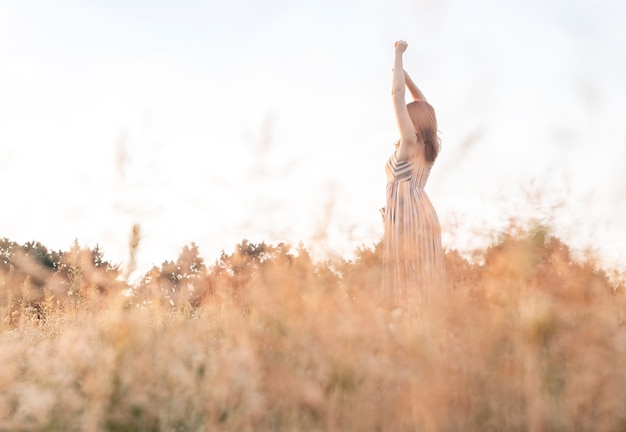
(413,258)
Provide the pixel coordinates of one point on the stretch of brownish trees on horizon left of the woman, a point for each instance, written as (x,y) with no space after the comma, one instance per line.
(30,273)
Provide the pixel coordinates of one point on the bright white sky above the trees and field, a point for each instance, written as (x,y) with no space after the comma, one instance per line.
(213,122)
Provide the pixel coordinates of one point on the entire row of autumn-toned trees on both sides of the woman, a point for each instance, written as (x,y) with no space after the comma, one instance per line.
(31,274)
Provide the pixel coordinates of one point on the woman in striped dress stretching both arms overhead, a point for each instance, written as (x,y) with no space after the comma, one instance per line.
(413,261)
